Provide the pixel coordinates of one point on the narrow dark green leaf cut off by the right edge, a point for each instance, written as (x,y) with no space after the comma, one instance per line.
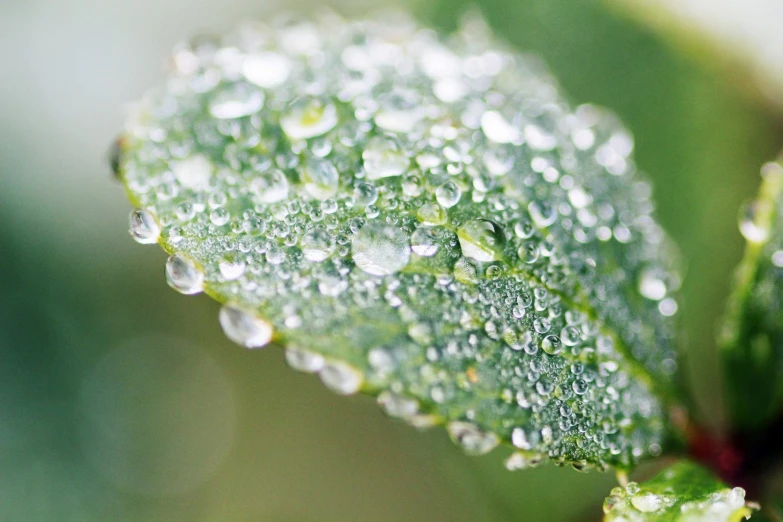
(752,336)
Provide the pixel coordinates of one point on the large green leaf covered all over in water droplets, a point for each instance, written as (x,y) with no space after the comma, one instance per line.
(426,221)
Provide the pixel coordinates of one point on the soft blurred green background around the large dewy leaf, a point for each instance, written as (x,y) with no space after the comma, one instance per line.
(122,400)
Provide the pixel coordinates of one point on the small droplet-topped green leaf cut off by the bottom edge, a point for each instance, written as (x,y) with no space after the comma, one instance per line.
(683,492)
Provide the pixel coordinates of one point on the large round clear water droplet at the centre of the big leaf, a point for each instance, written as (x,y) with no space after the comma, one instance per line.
(380,249)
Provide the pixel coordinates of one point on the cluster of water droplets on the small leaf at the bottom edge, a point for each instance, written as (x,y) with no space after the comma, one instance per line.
(637,504)
